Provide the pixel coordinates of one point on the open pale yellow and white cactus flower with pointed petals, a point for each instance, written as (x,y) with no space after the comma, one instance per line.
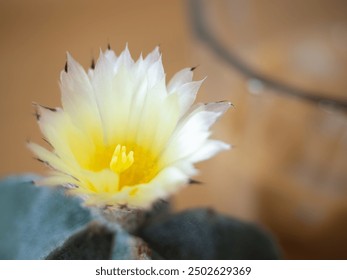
(122,136)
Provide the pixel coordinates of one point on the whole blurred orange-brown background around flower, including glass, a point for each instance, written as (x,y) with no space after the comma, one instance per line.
(281,63)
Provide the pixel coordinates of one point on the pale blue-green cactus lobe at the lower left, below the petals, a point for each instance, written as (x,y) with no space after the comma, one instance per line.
(34,221)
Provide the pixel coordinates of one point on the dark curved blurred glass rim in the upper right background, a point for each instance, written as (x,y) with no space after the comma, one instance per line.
(257,80)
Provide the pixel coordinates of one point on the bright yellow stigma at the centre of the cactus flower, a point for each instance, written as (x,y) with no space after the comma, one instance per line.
(121,161)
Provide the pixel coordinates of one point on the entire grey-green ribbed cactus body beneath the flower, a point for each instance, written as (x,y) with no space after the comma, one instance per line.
(42,223)
